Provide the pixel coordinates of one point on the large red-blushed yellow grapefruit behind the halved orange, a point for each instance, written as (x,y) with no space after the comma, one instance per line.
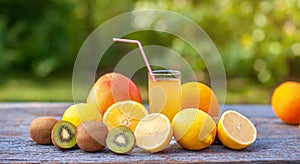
(110,88)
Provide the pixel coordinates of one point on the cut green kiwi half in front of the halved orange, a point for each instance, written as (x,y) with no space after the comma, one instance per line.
(120,140)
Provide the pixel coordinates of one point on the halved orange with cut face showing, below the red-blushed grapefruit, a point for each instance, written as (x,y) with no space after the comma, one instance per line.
(127,113)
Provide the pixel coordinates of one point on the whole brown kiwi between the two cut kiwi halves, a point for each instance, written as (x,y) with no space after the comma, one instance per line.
(91,136)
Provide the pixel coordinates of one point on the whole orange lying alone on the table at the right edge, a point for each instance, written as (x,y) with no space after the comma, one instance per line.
(285,102)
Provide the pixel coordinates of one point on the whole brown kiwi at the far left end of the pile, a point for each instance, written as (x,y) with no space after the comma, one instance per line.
(40,129)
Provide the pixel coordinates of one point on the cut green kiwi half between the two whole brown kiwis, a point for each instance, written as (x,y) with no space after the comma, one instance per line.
(64,135)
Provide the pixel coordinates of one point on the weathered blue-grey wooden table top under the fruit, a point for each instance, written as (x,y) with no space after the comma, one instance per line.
(276,141)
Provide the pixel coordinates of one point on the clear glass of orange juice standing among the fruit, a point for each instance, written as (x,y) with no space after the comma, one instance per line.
(164,92)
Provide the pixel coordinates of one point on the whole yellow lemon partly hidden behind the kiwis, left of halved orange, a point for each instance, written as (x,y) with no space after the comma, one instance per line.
(79,113)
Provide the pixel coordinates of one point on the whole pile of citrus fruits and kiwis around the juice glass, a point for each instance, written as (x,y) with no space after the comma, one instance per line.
(114,117)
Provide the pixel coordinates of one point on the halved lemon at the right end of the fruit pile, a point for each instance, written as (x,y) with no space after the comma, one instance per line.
(235,131)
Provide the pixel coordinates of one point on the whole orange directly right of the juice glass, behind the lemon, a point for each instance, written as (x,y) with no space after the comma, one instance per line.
(200,96)
